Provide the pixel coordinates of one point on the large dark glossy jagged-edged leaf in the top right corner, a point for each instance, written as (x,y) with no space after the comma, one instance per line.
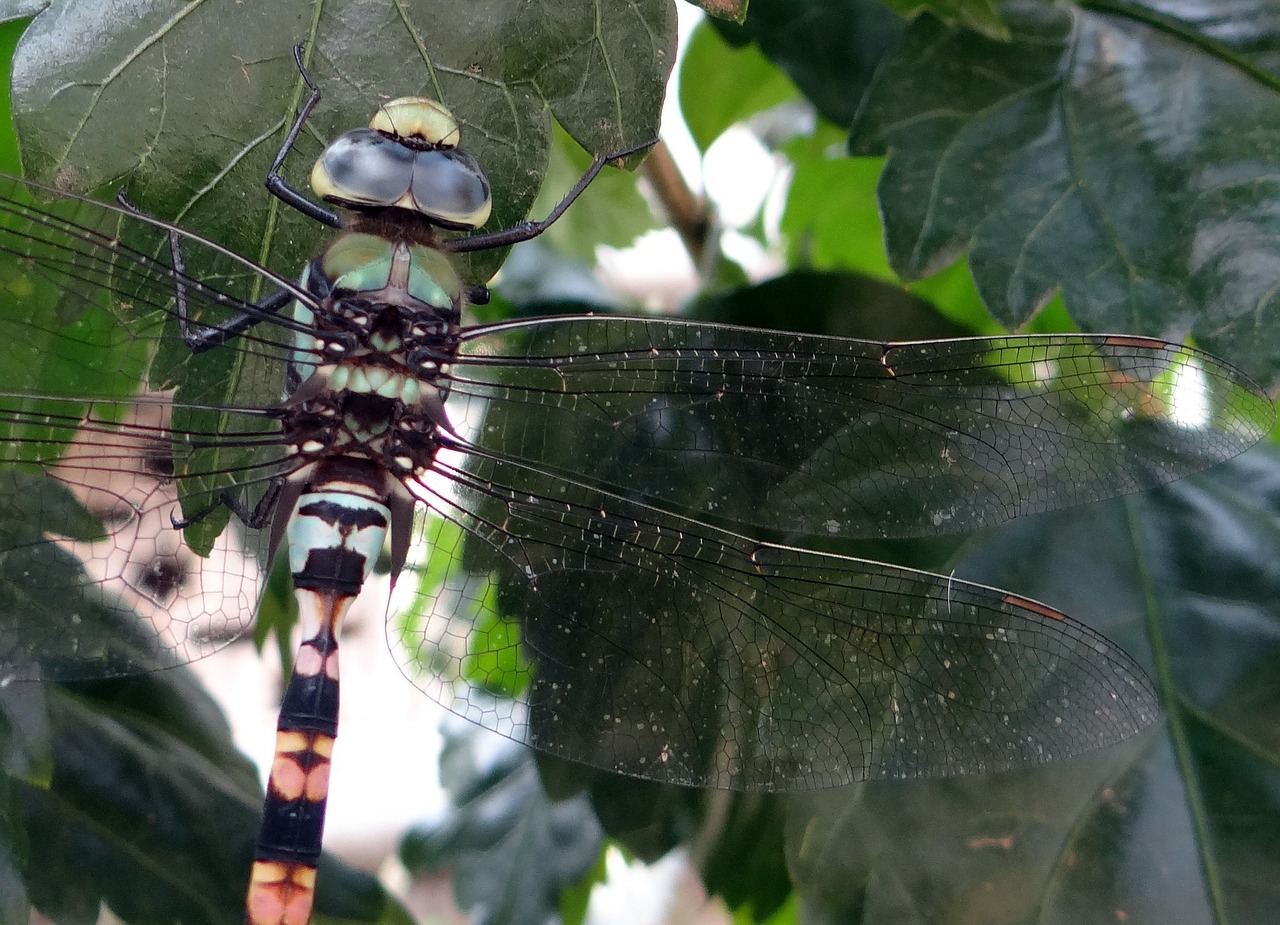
(1092,154)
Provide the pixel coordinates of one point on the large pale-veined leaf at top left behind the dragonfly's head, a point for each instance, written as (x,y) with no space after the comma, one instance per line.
(190,109)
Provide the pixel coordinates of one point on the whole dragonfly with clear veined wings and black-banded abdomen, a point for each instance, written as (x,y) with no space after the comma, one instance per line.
(602,528)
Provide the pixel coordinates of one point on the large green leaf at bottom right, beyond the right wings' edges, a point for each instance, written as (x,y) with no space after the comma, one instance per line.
(1178,826)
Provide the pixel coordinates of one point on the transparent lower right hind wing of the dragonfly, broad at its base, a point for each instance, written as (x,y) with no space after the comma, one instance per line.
(662,648)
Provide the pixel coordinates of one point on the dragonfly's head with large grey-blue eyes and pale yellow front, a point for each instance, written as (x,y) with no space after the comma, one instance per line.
(409,158)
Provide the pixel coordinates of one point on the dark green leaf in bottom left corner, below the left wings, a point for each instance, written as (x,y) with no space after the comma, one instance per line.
(152,812)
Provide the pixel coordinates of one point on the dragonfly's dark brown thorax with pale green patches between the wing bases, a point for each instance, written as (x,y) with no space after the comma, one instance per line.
(372,359)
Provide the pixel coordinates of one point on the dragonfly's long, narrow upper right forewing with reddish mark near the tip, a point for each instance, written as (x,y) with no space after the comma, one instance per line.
(830,437)
